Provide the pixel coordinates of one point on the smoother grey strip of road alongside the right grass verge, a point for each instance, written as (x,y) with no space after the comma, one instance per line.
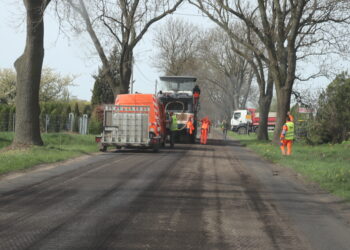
(307,206)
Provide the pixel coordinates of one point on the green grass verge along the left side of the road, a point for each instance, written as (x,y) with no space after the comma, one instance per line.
(57,147)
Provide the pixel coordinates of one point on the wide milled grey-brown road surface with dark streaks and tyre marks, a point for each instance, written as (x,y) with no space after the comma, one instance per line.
(217,196)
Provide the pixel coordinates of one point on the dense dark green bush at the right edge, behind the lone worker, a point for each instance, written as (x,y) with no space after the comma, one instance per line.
(332,122)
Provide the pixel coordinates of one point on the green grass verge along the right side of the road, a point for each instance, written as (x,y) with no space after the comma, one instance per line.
(328,165)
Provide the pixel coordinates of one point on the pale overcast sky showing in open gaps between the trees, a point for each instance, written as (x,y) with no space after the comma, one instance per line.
(76,55)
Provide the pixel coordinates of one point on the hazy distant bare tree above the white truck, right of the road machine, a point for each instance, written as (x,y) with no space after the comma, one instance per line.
(228,70)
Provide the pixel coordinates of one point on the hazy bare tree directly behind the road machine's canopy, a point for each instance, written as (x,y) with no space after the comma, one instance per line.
(176,44)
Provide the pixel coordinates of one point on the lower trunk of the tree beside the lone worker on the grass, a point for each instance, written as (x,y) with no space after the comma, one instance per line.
(283,106)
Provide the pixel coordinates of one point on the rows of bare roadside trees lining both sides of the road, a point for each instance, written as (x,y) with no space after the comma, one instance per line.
(271,38)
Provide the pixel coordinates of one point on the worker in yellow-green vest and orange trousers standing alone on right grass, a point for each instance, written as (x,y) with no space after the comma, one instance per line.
(287,135)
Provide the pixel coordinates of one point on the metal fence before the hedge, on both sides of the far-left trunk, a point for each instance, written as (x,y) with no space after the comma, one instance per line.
(52,123)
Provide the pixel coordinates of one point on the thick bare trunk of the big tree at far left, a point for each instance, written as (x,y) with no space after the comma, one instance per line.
(28,68)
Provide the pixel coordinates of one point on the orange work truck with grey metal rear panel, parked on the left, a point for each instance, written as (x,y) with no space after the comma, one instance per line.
(136,120)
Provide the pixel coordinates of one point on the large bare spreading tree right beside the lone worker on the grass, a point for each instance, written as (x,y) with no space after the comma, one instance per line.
(283,28)
